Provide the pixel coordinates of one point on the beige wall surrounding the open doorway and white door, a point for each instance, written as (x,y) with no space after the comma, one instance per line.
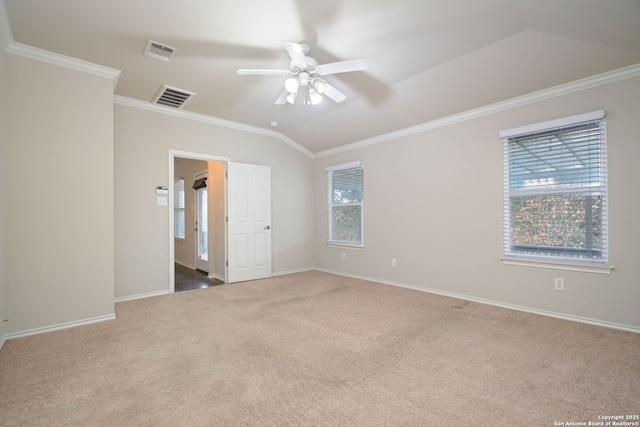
(142,143)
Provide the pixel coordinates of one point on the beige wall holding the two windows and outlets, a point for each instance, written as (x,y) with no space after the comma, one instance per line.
(434,201)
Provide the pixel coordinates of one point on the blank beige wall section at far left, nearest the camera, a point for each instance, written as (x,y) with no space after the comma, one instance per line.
(58,195)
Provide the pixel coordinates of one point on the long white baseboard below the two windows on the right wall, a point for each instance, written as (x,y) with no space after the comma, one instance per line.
(595,322)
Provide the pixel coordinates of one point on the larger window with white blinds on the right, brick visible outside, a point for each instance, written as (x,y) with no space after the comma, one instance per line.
(555,191)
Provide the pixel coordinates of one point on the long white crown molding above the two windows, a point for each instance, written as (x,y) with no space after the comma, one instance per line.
(542,95)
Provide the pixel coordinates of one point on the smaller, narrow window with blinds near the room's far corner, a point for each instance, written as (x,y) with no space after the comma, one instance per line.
(344,204)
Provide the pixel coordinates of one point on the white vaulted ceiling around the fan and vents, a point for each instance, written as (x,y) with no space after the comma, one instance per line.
(428,59)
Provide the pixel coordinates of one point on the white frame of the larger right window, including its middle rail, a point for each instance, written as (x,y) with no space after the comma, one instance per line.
(549,260)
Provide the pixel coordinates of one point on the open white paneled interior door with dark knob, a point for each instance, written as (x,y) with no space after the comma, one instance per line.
(249,222)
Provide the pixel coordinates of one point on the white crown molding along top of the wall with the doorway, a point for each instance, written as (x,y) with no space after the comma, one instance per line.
(148,106)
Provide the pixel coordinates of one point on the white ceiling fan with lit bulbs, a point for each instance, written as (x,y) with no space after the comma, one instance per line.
(305,76)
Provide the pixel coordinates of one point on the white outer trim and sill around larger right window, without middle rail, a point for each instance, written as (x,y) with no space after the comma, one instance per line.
(542,260)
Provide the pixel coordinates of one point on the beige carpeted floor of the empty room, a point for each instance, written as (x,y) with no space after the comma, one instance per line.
(314,349)
